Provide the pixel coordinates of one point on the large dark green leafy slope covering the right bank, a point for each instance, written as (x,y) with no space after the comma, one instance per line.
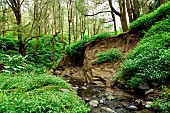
(149,61)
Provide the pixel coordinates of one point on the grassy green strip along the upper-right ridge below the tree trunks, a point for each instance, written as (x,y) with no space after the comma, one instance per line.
(147,20)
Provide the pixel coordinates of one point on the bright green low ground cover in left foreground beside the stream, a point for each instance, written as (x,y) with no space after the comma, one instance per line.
(38,94)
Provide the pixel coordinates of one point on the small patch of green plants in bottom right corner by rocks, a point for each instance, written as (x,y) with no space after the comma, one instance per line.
(163,102)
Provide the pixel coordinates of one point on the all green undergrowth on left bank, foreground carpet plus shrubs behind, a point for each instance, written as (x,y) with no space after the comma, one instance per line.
(25,84)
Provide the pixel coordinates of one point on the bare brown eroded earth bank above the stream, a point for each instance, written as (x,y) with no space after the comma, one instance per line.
(102,73)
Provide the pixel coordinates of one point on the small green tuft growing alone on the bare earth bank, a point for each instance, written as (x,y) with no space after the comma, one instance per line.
(108,56)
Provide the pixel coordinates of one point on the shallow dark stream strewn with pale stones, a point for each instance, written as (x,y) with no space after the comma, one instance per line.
(111,99)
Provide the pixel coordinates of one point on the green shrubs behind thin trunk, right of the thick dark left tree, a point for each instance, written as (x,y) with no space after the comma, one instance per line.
(40,52)
